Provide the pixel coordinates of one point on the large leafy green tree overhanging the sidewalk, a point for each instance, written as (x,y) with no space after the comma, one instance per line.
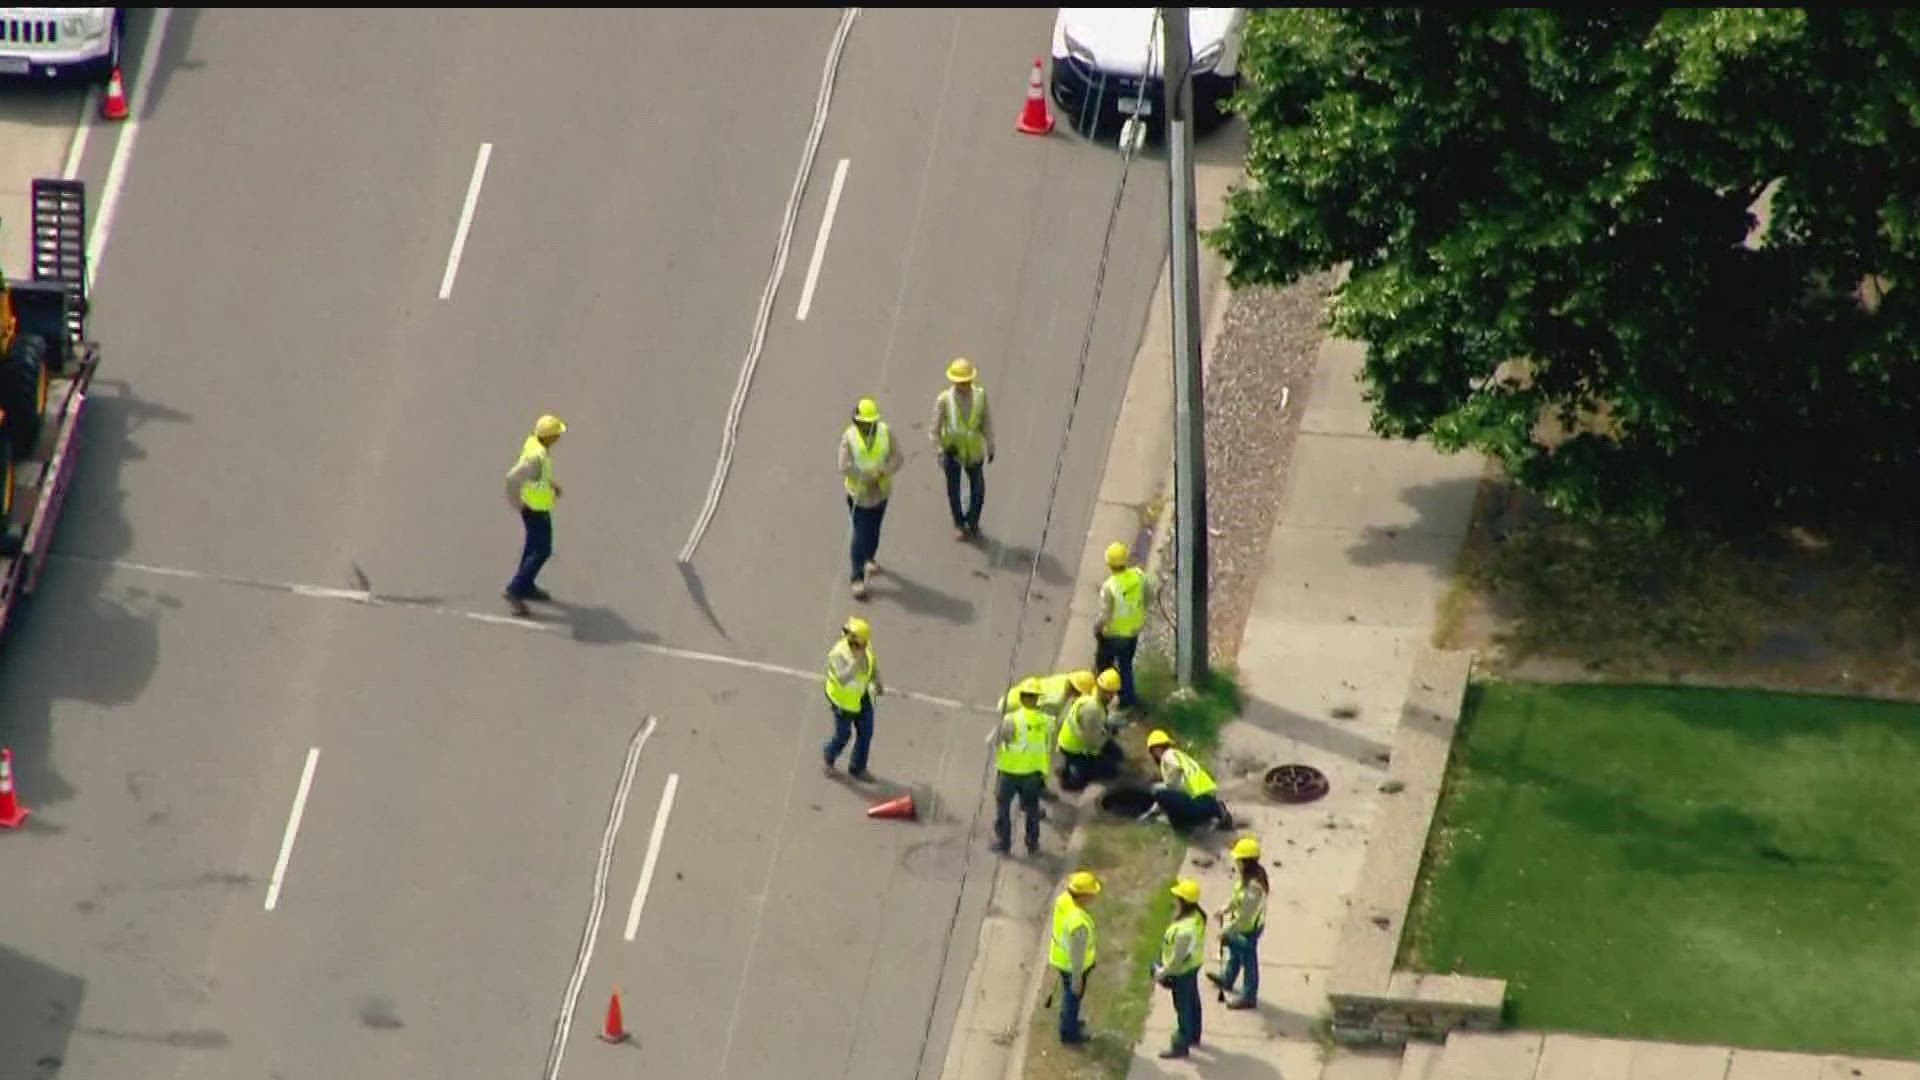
(1548,226)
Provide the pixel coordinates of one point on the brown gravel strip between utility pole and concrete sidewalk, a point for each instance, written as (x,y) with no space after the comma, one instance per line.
(1264,356)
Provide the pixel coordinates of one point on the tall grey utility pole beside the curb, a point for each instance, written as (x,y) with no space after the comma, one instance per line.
(1189,412)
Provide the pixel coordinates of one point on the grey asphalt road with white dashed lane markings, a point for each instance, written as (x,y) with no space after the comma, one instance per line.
(287,403)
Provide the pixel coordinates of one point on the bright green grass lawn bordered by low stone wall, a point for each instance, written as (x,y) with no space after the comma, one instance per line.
(1698,866)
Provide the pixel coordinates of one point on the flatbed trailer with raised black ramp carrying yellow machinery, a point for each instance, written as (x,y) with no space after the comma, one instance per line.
(41,433)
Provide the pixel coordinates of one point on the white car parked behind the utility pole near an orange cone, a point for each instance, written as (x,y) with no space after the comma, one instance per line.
(1107,64)
